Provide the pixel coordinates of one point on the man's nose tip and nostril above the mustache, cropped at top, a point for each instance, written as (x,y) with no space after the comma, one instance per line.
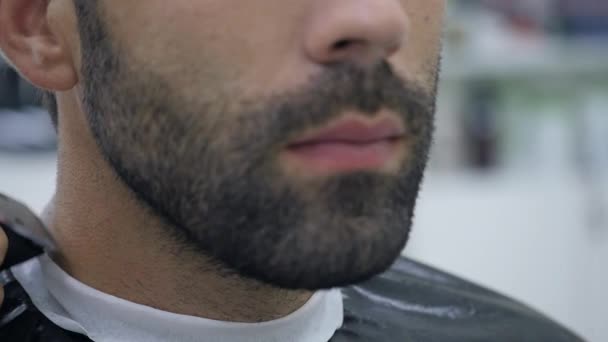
(360,31)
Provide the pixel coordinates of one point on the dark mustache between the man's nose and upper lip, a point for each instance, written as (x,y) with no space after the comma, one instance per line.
(328,96)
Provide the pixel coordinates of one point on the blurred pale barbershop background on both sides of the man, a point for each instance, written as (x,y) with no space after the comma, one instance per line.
(516,197)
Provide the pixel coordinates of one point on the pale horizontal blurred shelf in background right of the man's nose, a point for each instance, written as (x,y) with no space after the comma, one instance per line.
(530,60)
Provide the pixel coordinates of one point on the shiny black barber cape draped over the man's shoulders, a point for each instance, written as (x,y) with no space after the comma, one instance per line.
(410,302)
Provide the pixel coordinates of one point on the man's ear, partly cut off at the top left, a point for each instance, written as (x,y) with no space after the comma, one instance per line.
(37,51)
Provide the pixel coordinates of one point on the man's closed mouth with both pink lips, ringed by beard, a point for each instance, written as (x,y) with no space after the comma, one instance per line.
(351,144)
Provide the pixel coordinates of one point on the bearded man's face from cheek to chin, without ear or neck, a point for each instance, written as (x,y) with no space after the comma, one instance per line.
(206,110)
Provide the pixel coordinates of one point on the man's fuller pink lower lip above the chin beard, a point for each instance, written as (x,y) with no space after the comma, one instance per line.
(333,157)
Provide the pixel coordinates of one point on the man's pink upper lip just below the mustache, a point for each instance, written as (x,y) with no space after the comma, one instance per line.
(355,132)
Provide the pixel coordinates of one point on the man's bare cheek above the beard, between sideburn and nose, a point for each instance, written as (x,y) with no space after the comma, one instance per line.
(236,44)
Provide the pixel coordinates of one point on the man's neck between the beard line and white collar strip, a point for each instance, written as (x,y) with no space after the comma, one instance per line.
(110,241)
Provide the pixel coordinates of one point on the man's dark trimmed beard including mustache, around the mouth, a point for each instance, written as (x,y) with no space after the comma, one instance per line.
(209,167)
